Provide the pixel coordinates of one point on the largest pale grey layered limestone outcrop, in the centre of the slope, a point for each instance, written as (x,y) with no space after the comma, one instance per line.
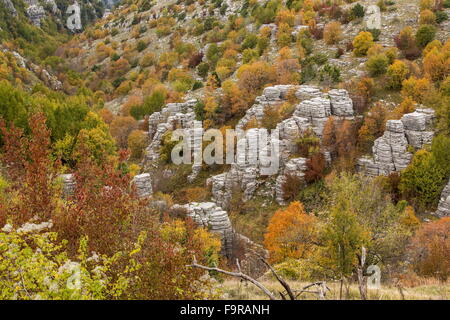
(312,112)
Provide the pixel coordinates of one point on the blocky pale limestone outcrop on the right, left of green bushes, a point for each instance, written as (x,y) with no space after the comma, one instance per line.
(390,151)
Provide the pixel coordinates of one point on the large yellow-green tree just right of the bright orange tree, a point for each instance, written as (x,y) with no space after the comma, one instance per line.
(360,215)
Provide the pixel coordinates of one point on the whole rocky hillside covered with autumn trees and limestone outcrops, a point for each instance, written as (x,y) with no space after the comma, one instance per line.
(341,111)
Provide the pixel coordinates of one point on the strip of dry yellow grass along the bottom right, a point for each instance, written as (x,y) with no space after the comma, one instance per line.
(429,290)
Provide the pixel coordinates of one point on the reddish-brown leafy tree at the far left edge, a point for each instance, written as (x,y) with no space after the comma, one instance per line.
(31,171)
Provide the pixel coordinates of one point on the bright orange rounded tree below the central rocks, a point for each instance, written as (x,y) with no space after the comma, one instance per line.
(291,233)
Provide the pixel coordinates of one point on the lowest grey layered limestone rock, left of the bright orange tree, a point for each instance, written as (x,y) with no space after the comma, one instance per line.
(213,218)
